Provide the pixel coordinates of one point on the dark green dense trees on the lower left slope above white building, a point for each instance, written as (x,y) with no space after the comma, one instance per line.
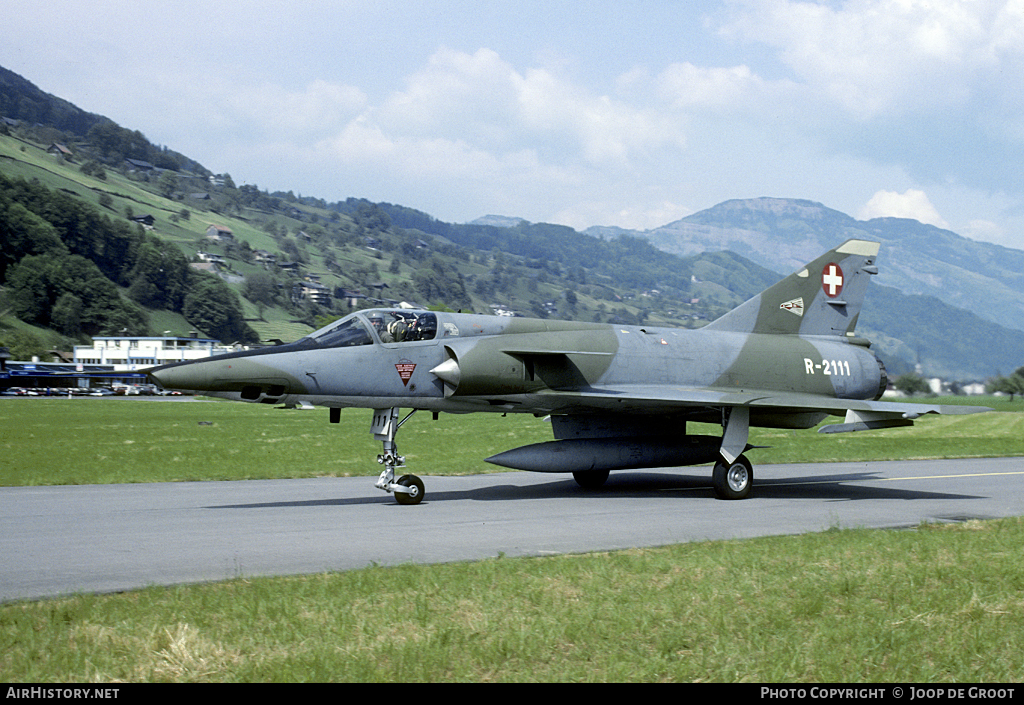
(64,261)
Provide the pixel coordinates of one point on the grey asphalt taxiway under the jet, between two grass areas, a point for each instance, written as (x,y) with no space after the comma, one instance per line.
(102,538)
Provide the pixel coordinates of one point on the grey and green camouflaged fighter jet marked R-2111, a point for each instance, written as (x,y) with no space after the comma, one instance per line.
(617,397)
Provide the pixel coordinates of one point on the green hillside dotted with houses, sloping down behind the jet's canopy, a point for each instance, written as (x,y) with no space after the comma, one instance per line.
(355,247)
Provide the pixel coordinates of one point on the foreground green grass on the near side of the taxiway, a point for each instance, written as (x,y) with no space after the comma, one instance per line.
(942,604)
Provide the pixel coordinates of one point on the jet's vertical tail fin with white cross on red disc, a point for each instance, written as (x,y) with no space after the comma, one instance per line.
(824,299)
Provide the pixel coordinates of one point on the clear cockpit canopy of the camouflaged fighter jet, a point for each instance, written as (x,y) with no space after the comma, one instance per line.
(389,325)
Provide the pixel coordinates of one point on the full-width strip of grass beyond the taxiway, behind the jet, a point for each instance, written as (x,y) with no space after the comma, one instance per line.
(130,440)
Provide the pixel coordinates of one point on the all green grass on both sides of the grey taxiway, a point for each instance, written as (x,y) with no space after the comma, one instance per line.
(941,604)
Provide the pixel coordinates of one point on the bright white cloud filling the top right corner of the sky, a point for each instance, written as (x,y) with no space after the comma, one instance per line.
(889,57)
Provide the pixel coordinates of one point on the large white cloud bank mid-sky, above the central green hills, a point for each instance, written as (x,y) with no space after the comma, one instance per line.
(476,135)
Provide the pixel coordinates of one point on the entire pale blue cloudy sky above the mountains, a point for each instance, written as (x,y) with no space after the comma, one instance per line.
(627,113)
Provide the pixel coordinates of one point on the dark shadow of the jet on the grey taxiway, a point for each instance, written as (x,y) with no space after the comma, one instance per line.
(650,485)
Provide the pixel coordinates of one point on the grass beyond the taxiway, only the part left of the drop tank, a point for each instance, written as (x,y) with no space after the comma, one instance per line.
(129,440)
